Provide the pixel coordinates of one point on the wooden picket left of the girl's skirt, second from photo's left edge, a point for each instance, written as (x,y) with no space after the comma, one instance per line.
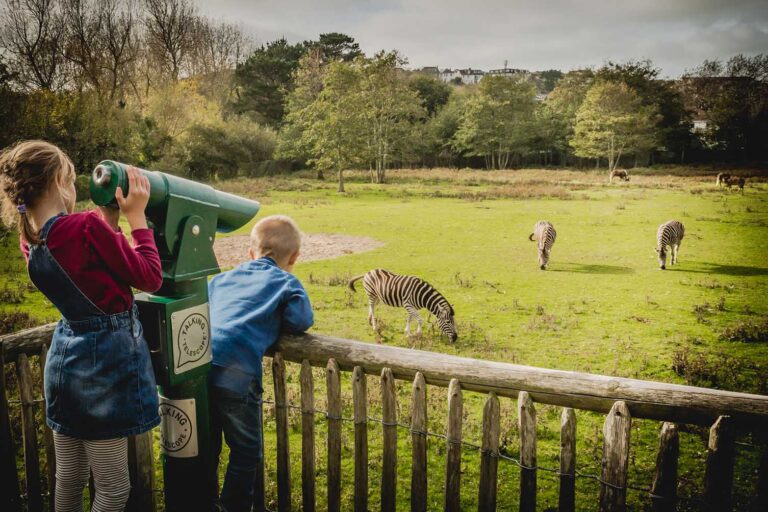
(29,430)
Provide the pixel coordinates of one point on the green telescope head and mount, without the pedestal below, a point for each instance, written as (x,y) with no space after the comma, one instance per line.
(178,208)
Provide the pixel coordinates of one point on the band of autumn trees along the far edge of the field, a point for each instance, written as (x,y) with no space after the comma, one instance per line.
(156,83)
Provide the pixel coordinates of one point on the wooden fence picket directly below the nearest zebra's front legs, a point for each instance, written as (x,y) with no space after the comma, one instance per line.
(419,444)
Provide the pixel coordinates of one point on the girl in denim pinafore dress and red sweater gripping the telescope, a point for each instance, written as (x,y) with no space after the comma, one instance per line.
(99,385)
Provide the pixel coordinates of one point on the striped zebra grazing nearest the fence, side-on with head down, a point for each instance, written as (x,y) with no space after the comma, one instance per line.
(409,292)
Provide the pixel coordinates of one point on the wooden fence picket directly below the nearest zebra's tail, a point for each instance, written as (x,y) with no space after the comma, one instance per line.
(360,405)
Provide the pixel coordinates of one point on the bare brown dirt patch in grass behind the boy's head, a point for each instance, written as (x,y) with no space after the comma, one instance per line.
(233,250)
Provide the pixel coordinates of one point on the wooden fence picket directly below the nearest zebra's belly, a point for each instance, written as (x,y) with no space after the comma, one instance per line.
(389,432)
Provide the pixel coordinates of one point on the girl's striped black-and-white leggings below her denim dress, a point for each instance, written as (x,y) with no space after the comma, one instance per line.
(108,459)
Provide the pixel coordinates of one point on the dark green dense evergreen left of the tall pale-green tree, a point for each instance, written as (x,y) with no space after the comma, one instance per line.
(264,79)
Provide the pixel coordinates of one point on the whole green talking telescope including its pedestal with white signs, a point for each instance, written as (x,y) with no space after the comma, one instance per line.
(185,217)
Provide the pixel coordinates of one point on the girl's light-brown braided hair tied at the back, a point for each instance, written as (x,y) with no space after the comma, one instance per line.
(27,170)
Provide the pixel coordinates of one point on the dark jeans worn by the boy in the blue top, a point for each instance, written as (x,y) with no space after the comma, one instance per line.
(239,418)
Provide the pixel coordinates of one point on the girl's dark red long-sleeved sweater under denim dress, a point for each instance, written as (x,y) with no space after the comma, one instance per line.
(101,261)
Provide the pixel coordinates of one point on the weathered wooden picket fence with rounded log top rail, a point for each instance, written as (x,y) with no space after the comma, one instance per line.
(726,413)
